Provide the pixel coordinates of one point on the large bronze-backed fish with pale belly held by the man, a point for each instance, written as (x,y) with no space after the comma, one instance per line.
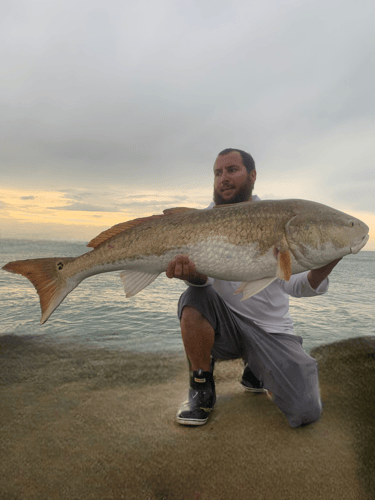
(254,243)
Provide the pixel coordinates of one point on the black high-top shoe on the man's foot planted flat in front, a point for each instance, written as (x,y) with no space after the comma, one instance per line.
(201,401)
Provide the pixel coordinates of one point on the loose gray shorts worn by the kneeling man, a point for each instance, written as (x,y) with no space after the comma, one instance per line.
(277,359)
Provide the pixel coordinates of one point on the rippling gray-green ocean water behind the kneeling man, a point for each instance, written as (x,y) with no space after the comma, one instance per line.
(97,313)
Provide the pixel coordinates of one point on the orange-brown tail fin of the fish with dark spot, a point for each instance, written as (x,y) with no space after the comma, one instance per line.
(48,277)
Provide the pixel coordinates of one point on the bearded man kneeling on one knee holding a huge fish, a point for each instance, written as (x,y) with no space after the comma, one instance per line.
(216,324)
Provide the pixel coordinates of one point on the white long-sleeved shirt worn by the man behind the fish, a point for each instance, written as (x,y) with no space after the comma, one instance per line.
(269,308)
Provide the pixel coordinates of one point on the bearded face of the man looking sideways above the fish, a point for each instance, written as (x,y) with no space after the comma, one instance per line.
(232,183)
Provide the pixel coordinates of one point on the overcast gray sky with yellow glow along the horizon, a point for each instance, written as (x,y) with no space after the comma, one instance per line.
(112,110)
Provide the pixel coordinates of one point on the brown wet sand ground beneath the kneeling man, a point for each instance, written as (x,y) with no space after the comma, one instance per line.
(79,423)
